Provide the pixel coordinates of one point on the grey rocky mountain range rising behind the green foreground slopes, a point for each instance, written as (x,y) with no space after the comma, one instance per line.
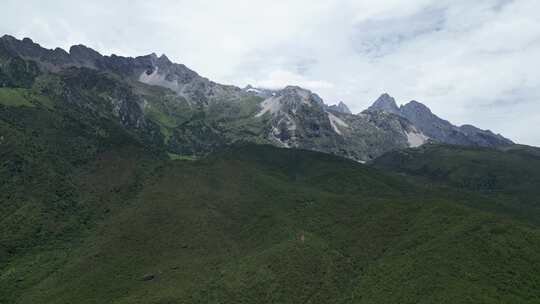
(189,109)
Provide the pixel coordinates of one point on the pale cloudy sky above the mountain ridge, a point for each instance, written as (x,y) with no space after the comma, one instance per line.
(470,61)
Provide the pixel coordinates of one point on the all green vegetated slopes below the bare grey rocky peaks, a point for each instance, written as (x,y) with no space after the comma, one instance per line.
(95,209)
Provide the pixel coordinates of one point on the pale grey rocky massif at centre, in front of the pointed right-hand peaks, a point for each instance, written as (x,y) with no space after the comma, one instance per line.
(299,118)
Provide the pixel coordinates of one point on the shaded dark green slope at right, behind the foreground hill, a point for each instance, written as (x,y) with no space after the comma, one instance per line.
(507,179)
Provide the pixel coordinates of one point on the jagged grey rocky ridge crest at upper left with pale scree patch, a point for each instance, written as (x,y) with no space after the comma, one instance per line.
(149,69)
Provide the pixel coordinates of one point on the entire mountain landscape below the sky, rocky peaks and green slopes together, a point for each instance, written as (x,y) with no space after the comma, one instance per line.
(135,180)
